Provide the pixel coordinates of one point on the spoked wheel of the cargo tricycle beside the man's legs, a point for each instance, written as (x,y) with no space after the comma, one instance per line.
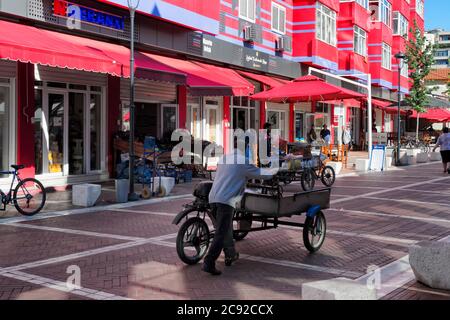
(193,240)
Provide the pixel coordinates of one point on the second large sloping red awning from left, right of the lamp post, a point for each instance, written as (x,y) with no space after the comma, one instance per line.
(208,80)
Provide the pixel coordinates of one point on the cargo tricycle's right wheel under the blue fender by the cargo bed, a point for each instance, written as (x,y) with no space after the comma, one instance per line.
(314,232)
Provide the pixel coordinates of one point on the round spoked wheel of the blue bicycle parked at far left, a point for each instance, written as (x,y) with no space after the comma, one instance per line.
(29,197)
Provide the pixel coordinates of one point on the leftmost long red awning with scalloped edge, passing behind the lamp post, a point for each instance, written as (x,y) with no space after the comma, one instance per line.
(29,44)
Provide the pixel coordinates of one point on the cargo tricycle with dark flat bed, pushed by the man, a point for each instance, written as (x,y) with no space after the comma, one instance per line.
(256,212)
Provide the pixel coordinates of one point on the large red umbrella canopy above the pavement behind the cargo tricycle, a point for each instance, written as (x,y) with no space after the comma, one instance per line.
(305,89)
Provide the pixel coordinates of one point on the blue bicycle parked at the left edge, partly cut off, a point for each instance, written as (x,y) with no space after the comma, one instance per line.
(28,196)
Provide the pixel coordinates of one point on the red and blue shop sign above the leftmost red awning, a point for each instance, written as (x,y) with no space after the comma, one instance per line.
(67,9)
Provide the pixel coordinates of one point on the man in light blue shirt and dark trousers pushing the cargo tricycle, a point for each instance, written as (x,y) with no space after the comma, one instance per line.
(233,172)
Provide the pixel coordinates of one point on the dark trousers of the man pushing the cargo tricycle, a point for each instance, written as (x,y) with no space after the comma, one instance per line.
(223,237)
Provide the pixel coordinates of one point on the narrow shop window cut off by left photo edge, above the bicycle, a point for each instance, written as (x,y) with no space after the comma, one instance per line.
(4,127)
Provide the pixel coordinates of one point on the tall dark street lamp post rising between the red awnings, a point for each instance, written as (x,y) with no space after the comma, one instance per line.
(132,196)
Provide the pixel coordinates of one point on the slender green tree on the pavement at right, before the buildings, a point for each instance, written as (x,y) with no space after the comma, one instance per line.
(420,58)
